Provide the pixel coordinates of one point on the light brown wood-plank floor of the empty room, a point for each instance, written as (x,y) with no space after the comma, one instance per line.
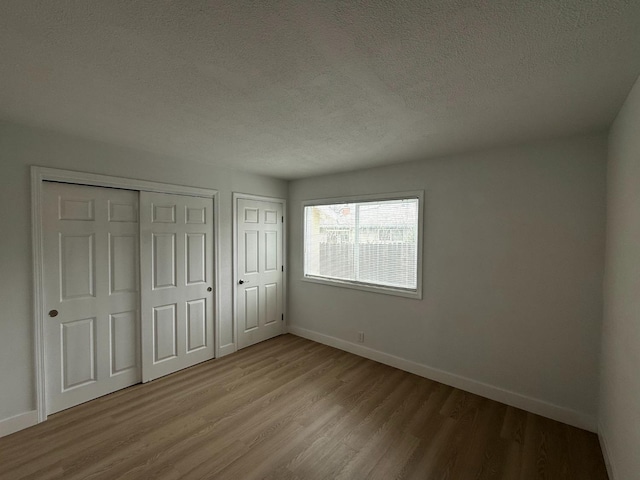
(289,408)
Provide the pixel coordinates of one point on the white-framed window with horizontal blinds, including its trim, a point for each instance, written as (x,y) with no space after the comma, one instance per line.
(371,243)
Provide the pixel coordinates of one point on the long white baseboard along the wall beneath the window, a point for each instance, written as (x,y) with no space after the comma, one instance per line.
(533,405)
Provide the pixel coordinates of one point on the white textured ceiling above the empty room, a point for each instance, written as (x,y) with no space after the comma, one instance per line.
(300,88)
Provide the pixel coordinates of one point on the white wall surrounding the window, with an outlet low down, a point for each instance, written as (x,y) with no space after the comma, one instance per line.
(513,267)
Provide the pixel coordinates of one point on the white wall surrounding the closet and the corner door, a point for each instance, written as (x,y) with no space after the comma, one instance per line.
(21,147)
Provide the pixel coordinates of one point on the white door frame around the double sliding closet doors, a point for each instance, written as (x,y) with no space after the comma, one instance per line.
(42,174)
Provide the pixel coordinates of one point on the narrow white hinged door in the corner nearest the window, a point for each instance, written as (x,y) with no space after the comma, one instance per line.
(259,275)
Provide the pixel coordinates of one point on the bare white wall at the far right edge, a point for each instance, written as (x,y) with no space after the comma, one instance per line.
(620,378)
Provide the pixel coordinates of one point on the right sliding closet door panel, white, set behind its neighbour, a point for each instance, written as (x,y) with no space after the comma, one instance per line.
(177,282)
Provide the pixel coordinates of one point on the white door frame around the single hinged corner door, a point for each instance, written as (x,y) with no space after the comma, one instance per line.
(235,277)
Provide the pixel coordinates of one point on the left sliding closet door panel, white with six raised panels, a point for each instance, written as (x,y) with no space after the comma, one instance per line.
(91,292)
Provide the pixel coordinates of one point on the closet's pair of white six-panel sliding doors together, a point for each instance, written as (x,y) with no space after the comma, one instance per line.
(128,288)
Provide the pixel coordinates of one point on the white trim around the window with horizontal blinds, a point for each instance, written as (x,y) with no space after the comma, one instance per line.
(400,292)
